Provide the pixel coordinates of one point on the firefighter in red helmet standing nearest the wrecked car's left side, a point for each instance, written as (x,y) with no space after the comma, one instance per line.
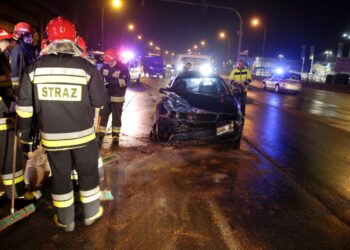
(116,76)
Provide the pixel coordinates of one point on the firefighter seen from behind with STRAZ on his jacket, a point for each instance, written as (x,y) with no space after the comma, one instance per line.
(61,90)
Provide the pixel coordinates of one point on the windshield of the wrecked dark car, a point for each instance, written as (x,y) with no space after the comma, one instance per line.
(203,85)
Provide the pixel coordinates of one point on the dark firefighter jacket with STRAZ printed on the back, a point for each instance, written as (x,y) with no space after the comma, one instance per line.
(61,90)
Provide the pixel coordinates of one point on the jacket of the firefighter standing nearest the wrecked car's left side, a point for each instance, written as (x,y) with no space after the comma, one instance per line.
(115,79)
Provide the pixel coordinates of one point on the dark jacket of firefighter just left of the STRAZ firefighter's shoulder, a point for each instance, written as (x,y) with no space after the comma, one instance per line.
(21,52)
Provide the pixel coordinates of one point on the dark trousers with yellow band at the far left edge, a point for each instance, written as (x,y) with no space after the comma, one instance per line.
(6,155)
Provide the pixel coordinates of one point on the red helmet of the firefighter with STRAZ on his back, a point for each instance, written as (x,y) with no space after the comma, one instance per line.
(60,29)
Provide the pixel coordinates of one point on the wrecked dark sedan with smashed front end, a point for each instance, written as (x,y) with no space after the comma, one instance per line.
(198,107)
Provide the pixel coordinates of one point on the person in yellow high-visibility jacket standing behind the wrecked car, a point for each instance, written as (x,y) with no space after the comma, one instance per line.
(240,78)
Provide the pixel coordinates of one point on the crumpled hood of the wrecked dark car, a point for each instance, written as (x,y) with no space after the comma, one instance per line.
(196,103)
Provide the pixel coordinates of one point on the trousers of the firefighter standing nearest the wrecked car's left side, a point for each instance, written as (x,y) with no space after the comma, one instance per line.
(116,108)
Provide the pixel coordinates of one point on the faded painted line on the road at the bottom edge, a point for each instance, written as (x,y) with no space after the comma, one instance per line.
(228,235)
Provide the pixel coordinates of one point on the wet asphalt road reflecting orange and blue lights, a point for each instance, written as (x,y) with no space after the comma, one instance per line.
(287,188)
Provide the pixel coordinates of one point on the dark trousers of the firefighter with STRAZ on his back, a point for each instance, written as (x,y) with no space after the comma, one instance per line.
(85,162)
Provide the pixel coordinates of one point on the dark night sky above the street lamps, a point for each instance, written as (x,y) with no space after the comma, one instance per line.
(290,24)
